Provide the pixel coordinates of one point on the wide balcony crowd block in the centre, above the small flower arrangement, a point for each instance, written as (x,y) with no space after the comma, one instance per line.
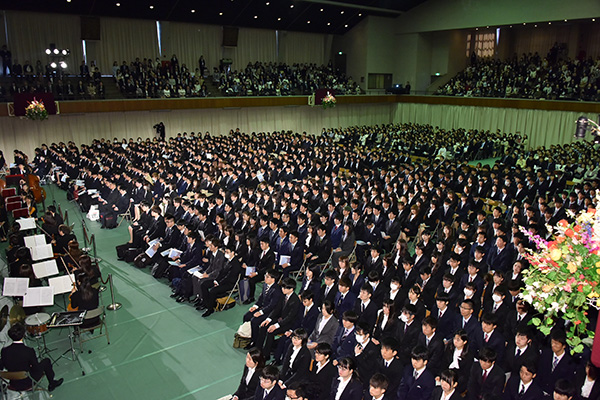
(279,79)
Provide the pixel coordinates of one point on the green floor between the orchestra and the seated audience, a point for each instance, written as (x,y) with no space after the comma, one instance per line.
(159,349)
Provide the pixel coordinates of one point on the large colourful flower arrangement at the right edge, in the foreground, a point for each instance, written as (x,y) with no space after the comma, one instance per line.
(562,282)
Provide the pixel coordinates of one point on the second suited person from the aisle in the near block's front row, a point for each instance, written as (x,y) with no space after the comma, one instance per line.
(280,319)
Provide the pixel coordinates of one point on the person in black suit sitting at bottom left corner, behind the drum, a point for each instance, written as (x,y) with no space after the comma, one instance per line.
(18,357)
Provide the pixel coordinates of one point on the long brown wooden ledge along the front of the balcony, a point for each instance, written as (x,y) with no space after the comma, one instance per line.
(99,106)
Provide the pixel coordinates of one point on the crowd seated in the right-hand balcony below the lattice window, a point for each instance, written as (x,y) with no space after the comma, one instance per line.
(529,76)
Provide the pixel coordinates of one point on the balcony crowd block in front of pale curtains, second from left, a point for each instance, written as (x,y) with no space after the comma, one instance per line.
(158,78)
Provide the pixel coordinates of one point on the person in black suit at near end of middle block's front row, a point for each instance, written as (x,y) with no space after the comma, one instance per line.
(222,284)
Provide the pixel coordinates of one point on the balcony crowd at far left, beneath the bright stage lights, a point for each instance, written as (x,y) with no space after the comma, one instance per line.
(87,85)
